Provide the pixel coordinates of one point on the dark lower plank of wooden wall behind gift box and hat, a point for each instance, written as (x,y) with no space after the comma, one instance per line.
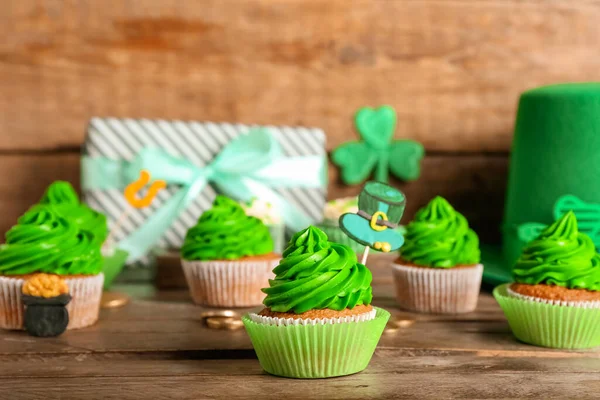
(473,184)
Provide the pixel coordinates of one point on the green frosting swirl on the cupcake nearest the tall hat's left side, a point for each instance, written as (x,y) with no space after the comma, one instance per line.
(440,237)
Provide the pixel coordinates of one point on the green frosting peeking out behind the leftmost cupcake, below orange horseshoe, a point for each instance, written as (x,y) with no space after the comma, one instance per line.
(64,199)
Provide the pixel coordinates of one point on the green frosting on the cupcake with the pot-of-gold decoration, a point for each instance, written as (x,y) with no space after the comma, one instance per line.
(43,241)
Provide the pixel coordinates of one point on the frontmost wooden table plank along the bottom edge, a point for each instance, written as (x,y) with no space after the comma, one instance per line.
(408,384)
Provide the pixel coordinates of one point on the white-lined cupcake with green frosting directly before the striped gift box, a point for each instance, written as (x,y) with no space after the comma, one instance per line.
(227,257)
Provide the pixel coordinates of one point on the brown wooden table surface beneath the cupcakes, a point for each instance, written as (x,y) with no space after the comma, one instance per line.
(157,347)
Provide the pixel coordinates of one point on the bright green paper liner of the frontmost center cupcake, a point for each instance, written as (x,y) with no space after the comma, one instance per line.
(316,351)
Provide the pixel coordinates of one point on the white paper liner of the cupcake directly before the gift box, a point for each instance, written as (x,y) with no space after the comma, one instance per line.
(233,283)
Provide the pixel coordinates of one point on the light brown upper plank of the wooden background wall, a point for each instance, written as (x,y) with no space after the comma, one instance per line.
(452,69)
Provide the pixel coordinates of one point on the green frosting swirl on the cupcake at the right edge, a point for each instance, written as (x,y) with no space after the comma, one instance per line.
(562,256)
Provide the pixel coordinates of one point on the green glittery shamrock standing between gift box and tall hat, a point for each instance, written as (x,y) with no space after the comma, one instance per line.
(378,150)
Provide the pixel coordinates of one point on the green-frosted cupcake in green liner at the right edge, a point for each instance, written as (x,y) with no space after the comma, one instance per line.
(555,300)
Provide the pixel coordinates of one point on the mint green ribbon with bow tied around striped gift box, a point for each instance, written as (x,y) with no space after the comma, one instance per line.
(250,166)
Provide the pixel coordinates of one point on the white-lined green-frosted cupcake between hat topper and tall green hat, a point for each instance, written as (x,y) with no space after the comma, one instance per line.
(438,270)
